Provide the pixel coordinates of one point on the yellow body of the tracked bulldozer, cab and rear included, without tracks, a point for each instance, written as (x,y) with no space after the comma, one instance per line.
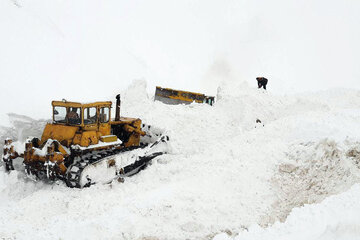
(60,136)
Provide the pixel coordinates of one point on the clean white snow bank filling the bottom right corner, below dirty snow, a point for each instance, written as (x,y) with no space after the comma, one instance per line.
(334,218)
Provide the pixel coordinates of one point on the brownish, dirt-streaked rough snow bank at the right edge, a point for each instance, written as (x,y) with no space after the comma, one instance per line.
(313,171)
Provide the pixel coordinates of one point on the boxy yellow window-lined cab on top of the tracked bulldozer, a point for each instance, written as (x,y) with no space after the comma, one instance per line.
(84,115)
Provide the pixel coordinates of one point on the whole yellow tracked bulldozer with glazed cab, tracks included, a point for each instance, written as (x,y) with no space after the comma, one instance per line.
(83,145)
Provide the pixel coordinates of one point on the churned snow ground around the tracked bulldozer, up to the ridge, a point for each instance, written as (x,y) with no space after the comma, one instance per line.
(227,176)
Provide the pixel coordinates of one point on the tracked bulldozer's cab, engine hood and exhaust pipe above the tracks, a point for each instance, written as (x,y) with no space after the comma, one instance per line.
(86,124)
